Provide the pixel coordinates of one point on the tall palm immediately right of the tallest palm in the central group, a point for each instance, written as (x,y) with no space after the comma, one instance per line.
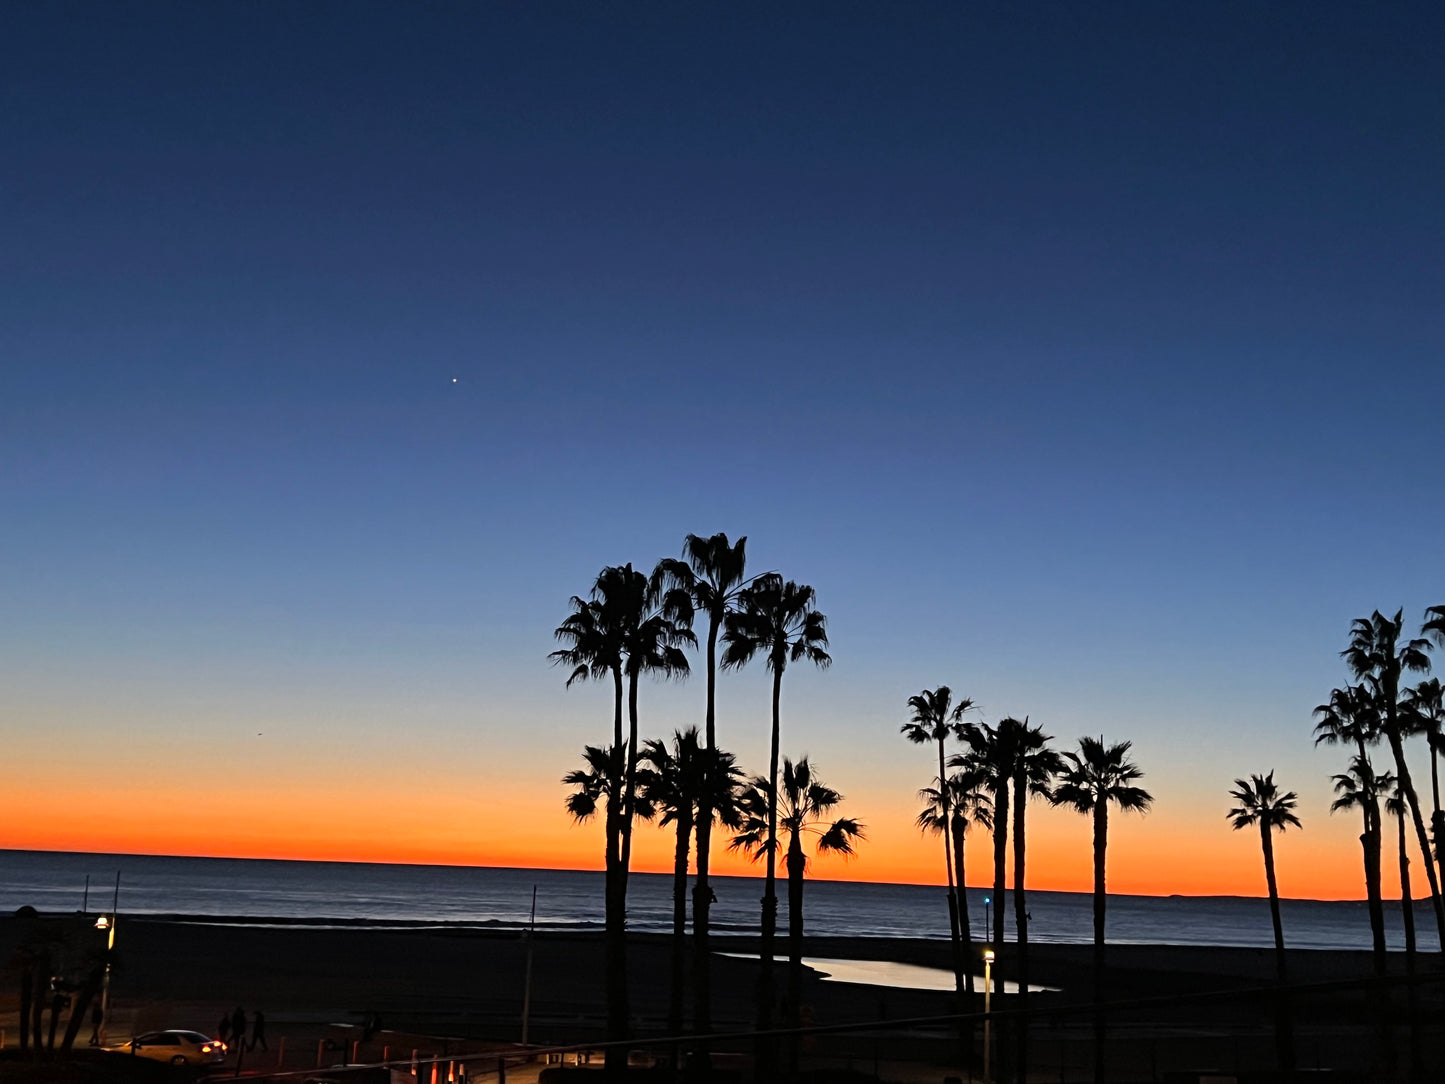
(780,621)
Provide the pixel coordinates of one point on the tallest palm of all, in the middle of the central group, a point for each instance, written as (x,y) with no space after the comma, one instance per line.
(713,573)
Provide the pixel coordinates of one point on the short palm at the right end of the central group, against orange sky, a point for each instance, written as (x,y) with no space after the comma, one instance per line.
(804,807)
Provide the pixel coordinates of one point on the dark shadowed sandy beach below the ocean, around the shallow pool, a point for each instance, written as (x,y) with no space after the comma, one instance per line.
(452,991)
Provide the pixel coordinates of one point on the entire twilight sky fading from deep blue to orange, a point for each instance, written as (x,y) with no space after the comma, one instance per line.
(1083,359)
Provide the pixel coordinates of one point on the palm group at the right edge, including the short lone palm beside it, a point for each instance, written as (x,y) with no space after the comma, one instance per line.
(1379,707)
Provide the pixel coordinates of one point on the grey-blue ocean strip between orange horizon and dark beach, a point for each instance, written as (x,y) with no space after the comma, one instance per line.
(332,892)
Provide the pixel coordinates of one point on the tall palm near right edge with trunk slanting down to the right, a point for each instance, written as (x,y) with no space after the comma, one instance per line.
(1378,657)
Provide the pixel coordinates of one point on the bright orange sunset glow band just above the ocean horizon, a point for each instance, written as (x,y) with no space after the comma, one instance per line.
(376,820)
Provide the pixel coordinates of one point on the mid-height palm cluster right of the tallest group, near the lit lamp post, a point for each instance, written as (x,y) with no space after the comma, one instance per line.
(989,783)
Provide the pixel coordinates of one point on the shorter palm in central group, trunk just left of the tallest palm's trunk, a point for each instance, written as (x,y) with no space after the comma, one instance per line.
(677,783)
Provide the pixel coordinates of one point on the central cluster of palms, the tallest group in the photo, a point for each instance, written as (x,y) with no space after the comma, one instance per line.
(634,625)
